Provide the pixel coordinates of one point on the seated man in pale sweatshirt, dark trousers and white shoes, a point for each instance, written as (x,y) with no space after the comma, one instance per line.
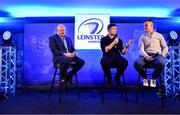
(152,49)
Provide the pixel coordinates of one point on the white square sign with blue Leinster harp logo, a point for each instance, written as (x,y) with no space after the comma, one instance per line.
(89,29)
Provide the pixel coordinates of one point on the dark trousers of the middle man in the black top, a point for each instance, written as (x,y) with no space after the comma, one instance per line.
(119,62)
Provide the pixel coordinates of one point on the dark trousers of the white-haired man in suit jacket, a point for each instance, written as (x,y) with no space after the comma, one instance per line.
(64,64)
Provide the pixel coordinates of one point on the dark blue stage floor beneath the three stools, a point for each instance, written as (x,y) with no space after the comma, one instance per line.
(37,102)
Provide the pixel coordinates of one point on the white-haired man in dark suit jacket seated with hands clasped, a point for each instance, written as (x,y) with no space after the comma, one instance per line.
(64,53)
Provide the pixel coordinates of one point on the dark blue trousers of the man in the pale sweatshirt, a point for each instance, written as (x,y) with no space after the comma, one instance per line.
(158,64)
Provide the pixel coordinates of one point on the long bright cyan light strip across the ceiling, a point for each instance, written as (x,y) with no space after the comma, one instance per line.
(41,11)
